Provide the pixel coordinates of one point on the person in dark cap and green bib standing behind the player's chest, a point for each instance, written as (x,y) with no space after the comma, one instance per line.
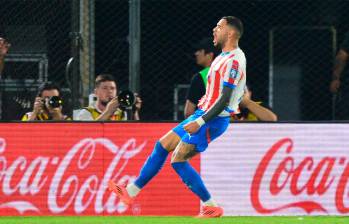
(205,53)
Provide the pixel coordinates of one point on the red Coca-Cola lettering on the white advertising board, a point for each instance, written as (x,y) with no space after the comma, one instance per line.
(287,177)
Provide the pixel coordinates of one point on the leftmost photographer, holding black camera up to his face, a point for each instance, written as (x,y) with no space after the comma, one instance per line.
(47,105)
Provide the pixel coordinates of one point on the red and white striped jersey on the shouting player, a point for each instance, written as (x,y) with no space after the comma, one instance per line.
(228,69)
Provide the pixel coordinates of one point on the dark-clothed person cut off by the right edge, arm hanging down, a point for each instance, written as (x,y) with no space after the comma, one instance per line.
(340,79)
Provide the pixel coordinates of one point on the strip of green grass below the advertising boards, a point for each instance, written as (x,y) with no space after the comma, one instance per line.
(174,220)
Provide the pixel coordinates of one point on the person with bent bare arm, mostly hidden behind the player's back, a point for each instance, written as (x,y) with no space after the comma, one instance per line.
(253,110)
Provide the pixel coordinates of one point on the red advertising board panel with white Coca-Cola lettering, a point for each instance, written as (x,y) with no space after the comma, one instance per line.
(63,169)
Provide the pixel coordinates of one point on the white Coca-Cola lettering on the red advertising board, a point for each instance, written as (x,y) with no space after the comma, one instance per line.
(68,185)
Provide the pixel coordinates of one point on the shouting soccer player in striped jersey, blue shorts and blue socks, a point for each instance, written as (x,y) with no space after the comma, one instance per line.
(225,88)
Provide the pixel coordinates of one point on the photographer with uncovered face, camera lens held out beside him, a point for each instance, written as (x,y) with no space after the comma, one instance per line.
(107,106)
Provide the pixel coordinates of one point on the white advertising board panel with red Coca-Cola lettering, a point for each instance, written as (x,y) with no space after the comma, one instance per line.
(280,169)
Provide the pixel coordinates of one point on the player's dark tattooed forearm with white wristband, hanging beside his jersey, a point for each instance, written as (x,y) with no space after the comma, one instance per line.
(222,102)
